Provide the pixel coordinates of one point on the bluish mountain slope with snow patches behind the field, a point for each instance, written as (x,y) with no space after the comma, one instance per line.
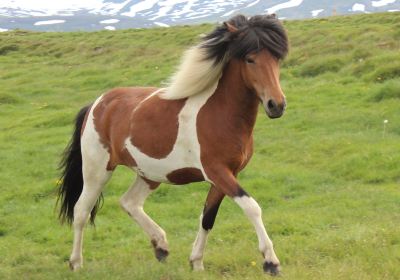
(90,15)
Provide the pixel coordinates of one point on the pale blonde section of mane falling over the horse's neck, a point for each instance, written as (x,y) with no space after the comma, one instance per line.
(196,74)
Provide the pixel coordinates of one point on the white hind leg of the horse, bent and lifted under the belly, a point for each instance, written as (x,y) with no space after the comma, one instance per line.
(132,202)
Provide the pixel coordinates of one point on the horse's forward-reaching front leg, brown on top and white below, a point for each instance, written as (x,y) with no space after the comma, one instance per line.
(228,184)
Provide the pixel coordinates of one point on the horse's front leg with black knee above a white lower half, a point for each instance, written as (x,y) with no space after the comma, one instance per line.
(207,219)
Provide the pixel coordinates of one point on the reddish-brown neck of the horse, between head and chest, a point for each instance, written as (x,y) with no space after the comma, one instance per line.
(237,104)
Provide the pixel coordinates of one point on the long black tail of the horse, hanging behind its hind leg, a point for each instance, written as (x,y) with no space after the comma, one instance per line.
(71,181)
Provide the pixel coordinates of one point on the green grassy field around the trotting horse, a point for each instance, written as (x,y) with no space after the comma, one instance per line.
(327,174)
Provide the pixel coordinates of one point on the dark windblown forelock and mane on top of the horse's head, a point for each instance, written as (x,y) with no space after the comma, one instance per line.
(250,35)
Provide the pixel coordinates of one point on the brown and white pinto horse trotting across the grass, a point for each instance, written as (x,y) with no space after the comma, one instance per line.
(199,128)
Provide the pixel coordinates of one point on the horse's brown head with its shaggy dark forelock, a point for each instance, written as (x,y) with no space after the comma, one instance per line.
(259,43)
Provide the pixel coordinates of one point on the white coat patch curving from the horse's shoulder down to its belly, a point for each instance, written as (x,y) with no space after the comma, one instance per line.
(186,150)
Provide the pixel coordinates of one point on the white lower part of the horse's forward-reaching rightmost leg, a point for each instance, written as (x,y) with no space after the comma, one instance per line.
(253,212)
